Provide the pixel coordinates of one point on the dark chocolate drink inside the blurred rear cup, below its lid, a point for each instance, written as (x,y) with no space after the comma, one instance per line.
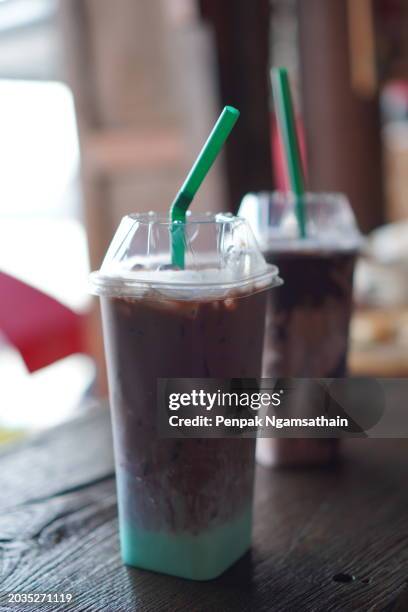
(306,335)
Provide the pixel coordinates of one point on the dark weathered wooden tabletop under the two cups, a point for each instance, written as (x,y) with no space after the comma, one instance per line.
(58,532)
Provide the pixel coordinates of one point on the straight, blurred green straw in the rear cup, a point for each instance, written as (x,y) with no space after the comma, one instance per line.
(287,128)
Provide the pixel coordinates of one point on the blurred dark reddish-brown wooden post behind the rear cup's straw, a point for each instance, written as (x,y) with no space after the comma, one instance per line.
(342,125)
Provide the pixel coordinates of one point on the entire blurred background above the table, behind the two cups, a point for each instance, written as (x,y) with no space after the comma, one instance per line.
(103,106)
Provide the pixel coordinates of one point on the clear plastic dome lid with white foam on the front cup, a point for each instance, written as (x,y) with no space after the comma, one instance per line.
(222,258)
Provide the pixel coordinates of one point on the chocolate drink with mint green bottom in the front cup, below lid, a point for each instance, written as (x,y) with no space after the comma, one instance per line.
(184,504)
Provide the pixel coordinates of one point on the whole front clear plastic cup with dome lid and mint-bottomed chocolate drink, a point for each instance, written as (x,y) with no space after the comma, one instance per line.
(184,504)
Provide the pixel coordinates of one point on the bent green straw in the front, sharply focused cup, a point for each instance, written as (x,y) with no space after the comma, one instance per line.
(197,174)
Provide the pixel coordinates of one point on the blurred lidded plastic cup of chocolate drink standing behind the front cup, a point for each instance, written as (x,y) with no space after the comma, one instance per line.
(307,321)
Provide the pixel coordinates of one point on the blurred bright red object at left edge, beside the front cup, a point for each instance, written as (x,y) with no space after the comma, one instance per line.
(42,329)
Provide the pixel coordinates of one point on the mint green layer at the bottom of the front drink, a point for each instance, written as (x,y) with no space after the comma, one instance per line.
(197,557)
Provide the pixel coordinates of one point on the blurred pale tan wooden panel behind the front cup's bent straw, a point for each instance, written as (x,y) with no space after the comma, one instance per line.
(145,103)
